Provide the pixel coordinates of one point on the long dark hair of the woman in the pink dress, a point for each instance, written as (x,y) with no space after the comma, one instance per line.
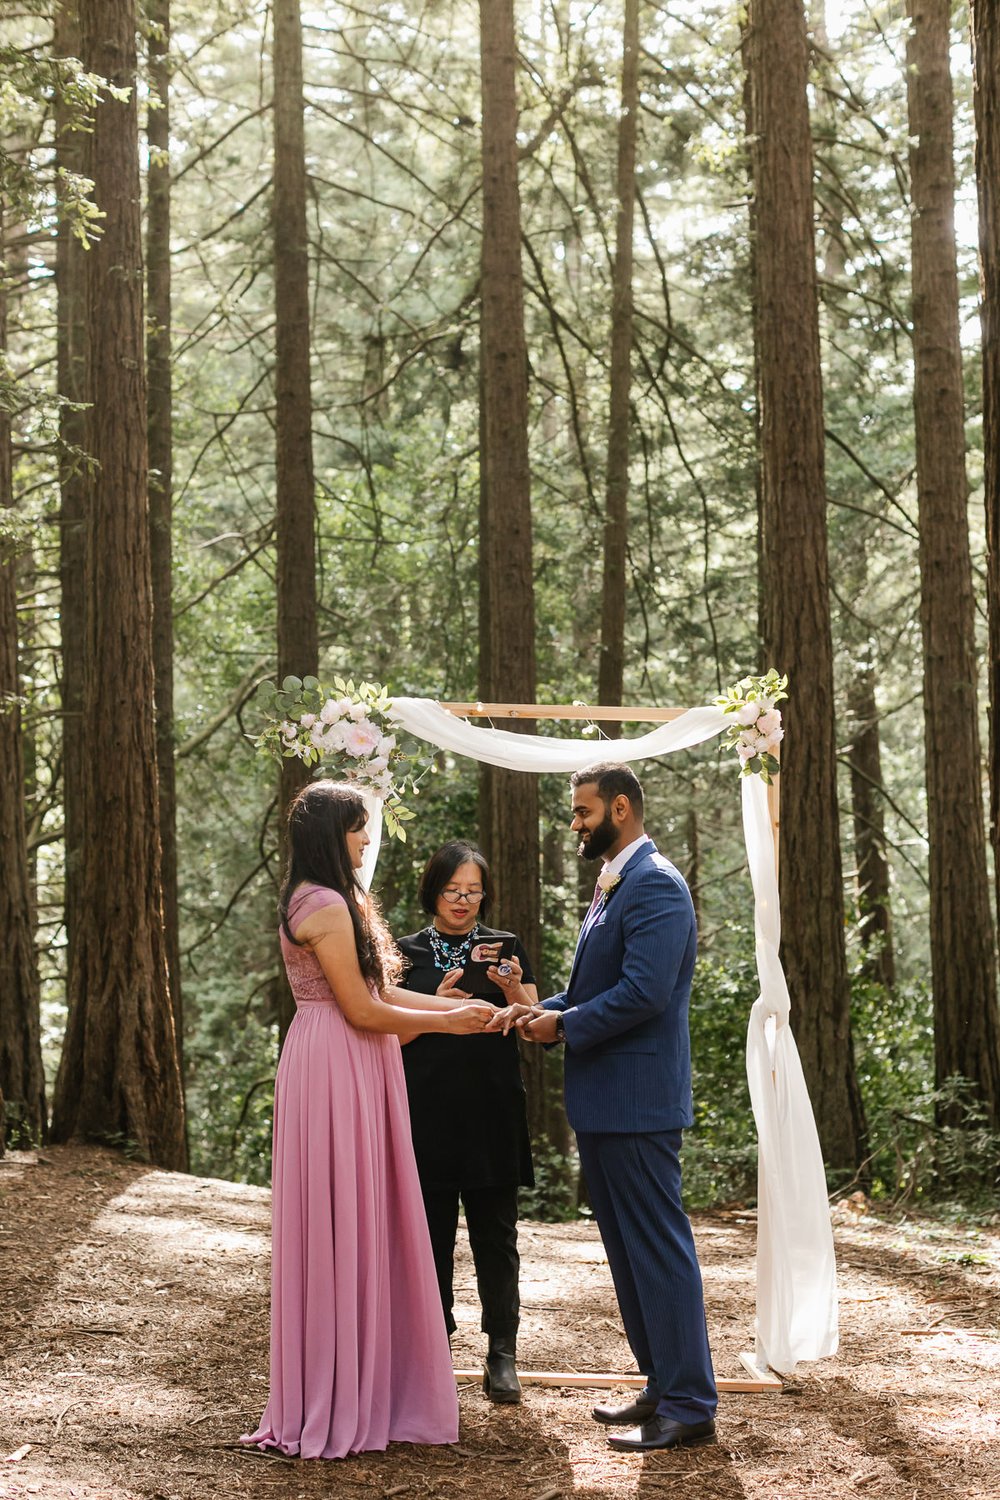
(319,823)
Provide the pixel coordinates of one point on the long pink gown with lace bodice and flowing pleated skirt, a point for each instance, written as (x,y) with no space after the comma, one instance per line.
(359,1348)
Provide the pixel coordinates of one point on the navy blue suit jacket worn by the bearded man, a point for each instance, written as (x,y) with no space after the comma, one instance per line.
(626,1007)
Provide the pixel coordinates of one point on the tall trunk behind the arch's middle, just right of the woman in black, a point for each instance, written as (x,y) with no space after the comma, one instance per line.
(509,802)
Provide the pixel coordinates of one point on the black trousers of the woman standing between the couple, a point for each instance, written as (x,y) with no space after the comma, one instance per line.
(491,1216)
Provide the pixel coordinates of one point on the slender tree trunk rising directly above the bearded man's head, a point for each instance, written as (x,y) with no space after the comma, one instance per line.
(612,661)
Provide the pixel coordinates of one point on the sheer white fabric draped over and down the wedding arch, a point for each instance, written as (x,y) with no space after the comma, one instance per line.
(797,1274)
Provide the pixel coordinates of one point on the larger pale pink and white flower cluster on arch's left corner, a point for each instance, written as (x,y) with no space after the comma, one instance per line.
(349,733)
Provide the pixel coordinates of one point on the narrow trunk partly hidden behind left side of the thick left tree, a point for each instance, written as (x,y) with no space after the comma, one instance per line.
(71,361)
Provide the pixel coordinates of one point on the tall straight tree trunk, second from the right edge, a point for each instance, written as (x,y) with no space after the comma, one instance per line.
(966,1018)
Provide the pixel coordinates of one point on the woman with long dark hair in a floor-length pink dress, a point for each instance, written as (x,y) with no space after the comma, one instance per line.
(359,1348)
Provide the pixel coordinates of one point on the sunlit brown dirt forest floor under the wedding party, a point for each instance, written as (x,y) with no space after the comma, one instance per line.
(134,1355)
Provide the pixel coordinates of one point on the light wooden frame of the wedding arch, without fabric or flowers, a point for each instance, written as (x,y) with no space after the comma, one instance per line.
(759,1381)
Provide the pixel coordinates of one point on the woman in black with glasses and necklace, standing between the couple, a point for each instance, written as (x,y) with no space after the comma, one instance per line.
(467,1108)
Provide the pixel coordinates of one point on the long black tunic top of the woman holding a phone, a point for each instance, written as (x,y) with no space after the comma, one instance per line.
(467,1097)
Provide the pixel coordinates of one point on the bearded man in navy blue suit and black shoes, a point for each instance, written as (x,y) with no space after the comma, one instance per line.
(624,1022)
